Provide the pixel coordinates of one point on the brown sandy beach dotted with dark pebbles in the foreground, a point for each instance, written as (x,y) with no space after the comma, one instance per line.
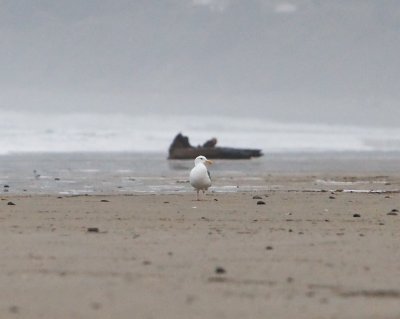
(300,255)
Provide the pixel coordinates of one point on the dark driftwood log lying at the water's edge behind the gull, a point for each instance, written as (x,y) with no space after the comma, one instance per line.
(181,149)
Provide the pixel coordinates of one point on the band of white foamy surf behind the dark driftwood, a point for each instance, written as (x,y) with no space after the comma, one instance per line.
(30,132)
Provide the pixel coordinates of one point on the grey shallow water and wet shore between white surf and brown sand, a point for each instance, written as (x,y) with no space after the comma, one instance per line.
(110,173)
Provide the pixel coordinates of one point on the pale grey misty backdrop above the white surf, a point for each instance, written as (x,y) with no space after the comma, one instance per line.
(307,60)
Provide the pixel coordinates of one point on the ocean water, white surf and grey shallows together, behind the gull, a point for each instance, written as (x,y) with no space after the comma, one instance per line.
(117,153)
